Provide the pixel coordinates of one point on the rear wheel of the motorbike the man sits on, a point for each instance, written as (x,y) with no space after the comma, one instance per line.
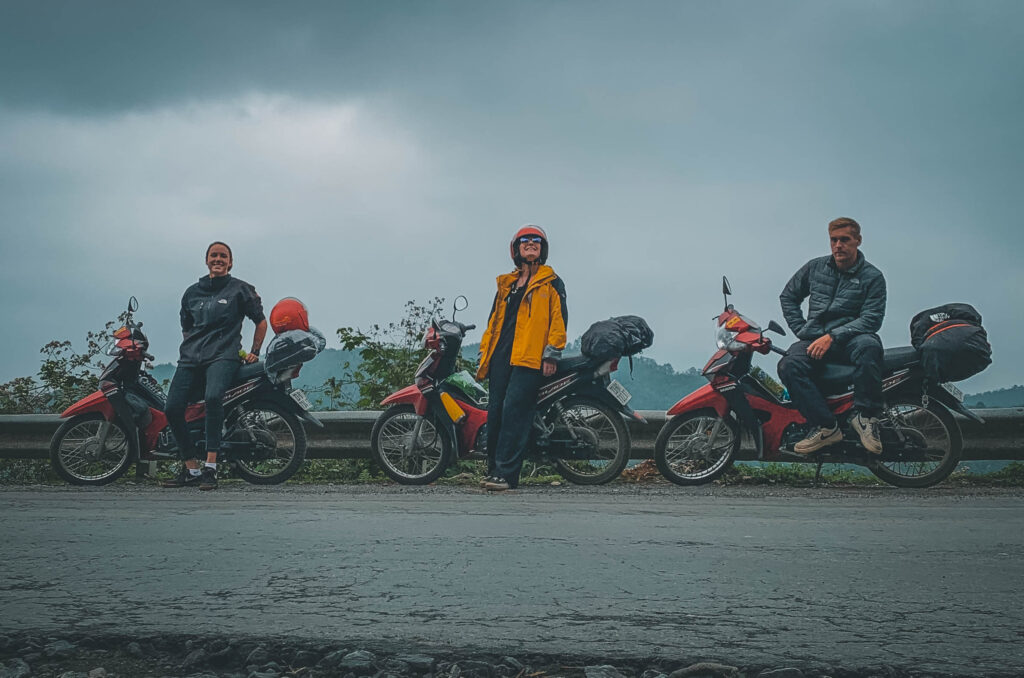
(931,448)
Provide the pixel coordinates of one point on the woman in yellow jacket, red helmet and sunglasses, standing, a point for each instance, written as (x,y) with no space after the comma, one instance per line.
(522,346)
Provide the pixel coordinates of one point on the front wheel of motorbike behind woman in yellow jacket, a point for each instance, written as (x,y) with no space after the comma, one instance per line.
(411,449)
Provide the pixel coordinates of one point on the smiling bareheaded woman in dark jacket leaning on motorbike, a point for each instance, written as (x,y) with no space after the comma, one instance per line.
(212,312)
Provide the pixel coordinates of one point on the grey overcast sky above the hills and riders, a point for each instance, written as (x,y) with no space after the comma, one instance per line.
(361,155)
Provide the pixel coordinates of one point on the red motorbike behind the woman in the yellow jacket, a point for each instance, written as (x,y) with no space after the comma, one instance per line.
(579,426)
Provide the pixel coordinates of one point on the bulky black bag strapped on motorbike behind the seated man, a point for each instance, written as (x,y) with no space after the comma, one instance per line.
(954,346)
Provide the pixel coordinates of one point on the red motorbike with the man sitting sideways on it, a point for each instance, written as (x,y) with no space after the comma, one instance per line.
(921,441)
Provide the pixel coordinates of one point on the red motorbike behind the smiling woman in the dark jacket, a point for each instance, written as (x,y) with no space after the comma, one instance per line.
(124,422)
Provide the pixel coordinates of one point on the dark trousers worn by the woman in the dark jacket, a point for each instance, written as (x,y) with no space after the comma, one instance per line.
(187,383)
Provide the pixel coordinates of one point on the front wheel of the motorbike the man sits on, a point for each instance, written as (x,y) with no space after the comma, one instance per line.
(697,448)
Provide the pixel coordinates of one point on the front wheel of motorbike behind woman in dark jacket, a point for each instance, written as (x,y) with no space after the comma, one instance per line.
(83,454)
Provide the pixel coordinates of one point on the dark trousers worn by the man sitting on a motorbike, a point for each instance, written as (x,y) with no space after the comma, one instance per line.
(798,371)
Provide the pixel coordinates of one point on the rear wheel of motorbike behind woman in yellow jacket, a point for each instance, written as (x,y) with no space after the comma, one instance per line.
(604,431)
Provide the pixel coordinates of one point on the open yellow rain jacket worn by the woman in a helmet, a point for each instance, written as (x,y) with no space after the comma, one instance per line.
(540,326)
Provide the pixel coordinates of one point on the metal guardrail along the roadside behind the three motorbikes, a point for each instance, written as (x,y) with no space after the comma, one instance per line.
(347,436)
